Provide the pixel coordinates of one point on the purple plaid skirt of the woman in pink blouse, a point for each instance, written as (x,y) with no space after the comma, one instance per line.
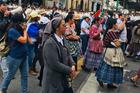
(92,60)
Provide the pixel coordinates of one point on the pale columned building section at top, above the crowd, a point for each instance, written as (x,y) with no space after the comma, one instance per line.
(85,5)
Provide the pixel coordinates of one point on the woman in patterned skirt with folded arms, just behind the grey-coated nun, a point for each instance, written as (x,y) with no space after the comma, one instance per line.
(72,39)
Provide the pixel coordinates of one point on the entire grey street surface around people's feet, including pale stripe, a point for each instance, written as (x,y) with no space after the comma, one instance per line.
(84,83)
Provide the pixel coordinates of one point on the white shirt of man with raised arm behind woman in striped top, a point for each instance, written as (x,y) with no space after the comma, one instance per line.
(123,36)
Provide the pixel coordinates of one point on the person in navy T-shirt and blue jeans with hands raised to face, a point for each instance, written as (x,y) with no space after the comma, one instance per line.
(17,56)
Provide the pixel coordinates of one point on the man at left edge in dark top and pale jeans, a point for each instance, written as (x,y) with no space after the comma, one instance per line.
(4,21)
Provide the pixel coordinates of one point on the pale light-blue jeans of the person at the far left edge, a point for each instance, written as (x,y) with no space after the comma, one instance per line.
(4,66)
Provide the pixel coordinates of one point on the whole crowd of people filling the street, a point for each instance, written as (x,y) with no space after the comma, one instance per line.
(56,39)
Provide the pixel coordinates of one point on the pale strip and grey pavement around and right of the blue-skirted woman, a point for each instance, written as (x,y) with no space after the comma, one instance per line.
(91,86)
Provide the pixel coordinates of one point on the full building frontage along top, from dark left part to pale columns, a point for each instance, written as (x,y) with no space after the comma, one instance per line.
(85,5)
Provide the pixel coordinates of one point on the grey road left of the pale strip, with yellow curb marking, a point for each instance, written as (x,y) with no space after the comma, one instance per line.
(14,86)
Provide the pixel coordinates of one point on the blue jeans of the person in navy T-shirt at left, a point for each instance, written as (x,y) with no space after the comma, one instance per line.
(14,64)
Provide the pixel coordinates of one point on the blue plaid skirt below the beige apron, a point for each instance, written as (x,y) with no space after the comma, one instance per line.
(108,74)
